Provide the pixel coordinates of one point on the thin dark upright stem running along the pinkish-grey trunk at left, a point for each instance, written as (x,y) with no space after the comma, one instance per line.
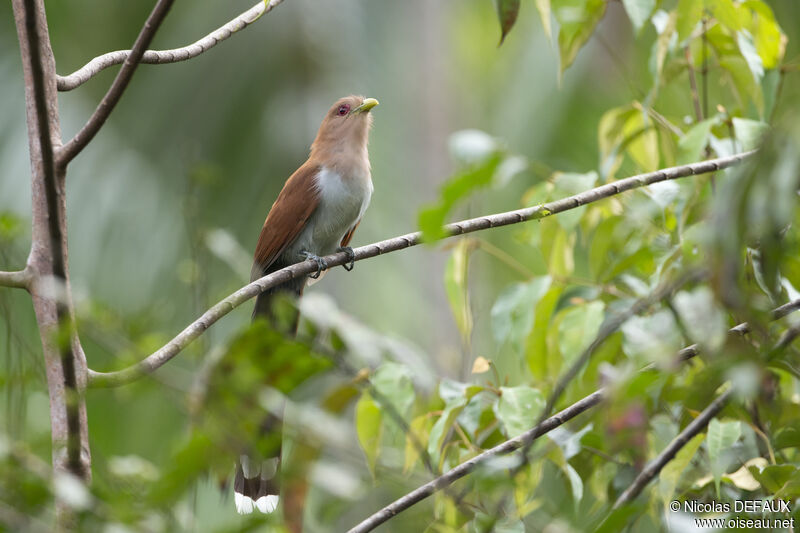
(64,349)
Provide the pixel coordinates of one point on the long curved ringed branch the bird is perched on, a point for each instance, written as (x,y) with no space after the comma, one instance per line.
(196,328)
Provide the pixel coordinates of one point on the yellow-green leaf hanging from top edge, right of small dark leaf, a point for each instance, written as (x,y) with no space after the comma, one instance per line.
(578,19)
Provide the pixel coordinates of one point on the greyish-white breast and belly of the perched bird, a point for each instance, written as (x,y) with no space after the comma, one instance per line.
(342,203)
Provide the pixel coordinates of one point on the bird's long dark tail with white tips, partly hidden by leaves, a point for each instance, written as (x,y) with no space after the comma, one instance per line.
(256,484)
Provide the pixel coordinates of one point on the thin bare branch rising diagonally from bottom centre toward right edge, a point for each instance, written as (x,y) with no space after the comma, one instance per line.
(527,438)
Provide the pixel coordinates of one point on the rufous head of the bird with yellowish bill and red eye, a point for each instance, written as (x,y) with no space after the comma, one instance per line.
(345,126)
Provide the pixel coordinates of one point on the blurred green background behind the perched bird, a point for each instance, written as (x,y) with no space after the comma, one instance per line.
(165,206)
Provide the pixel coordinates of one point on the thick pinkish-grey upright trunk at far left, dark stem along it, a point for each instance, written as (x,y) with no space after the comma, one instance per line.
(64,359)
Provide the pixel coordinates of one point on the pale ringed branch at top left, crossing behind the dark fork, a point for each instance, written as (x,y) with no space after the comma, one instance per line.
(157,57)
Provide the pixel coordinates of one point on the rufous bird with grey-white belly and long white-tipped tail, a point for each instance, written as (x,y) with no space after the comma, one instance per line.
(314,215)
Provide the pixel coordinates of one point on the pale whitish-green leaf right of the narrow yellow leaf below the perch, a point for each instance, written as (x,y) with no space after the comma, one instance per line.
(513,312)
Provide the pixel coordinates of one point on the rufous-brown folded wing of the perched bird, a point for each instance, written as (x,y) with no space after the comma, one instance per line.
(289,214)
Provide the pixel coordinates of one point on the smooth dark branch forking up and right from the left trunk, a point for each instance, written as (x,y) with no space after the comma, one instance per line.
(109,101)
